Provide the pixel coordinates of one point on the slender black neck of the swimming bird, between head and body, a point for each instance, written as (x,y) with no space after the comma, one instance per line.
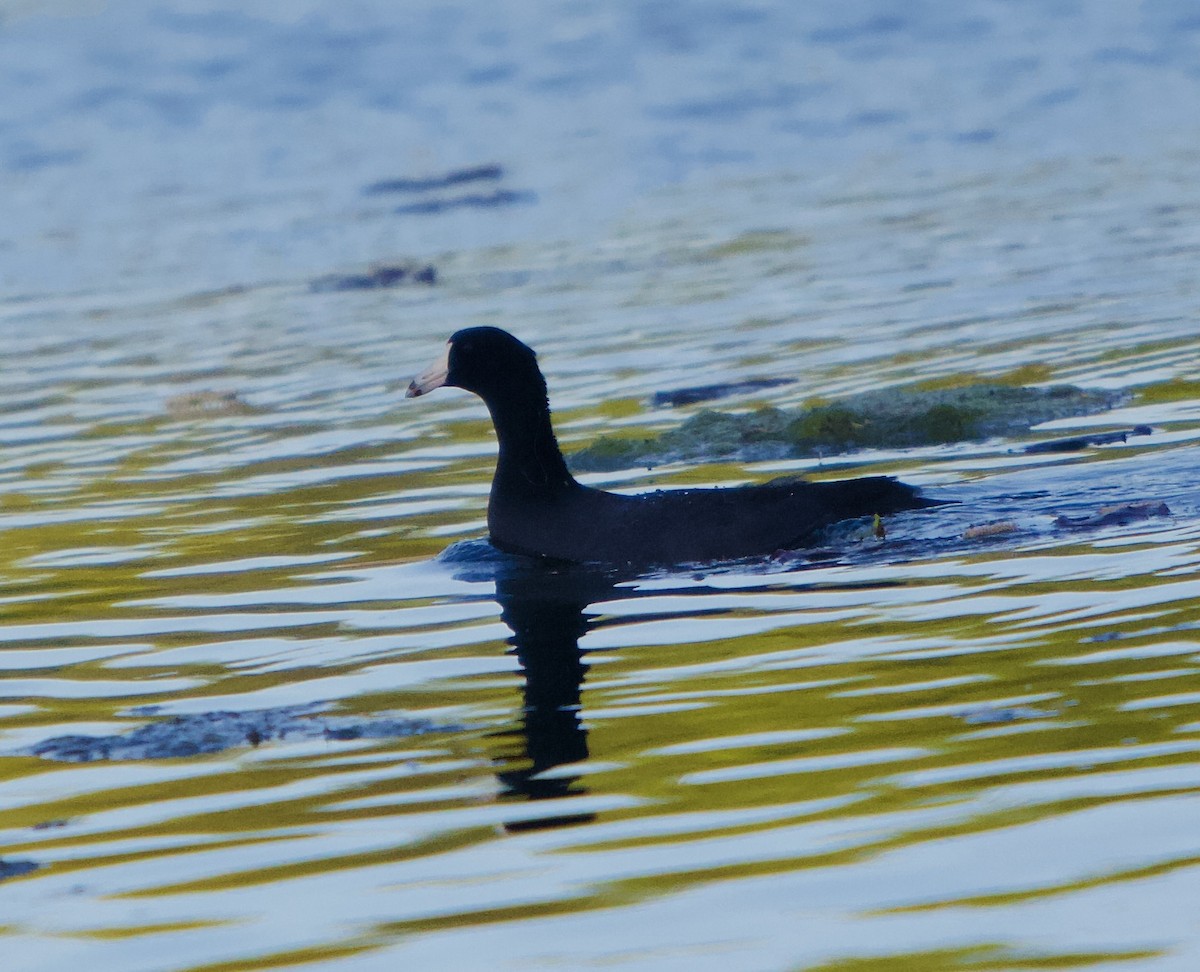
(530,460)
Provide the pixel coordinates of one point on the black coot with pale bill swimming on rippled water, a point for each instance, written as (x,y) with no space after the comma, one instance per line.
(537,507)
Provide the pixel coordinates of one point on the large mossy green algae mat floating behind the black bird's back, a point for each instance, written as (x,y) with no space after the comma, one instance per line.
(889,418)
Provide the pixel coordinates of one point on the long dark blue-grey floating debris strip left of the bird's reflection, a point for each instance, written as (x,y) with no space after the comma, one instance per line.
(217,731)
